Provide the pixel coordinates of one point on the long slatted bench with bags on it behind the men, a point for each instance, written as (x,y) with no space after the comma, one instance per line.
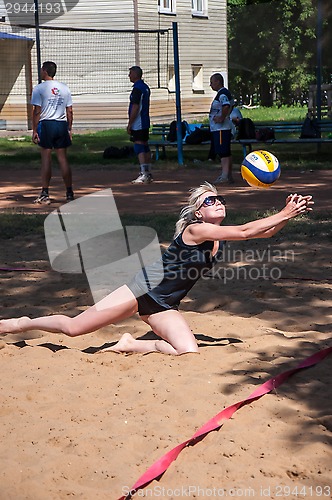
(284,134)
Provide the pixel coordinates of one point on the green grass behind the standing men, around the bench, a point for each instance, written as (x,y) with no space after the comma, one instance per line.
(87,149)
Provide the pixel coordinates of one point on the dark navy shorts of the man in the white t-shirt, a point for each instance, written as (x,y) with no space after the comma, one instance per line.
(53,134)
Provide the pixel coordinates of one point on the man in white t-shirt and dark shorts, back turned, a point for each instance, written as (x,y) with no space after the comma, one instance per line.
(52,121)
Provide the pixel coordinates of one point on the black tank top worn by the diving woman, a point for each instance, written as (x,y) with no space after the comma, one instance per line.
(182,266)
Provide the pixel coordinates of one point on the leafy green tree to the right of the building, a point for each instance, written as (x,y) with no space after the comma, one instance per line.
(272,48)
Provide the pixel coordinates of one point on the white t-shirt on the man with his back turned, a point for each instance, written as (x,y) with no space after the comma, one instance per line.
(53,97)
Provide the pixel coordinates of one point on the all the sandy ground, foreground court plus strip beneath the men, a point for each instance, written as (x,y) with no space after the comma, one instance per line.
(75,424)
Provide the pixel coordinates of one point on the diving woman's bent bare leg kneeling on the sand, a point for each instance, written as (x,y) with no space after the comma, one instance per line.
(170,326)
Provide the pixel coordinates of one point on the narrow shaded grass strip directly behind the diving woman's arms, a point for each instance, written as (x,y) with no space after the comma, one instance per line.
(315,225)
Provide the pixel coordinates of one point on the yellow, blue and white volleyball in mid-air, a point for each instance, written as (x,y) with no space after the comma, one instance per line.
(260,169)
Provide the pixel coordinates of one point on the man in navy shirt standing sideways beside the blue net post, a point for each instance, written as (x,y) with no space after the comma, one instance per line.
(139,123)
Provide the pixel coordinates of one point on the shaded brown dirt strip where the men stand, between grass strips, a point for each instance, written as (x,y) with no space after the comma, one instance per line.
(167,193)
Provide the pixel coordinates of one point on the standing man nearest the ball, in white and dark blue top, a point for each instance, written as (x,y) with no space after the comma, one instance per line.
(221,127)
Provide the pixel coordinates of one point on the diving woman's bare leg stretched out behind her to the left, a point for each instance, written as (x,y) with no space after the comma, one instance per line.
(116,306)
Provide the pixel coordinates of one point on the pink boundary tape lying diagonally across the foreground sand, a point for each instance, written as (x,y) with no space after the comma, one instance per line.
(162,464)
